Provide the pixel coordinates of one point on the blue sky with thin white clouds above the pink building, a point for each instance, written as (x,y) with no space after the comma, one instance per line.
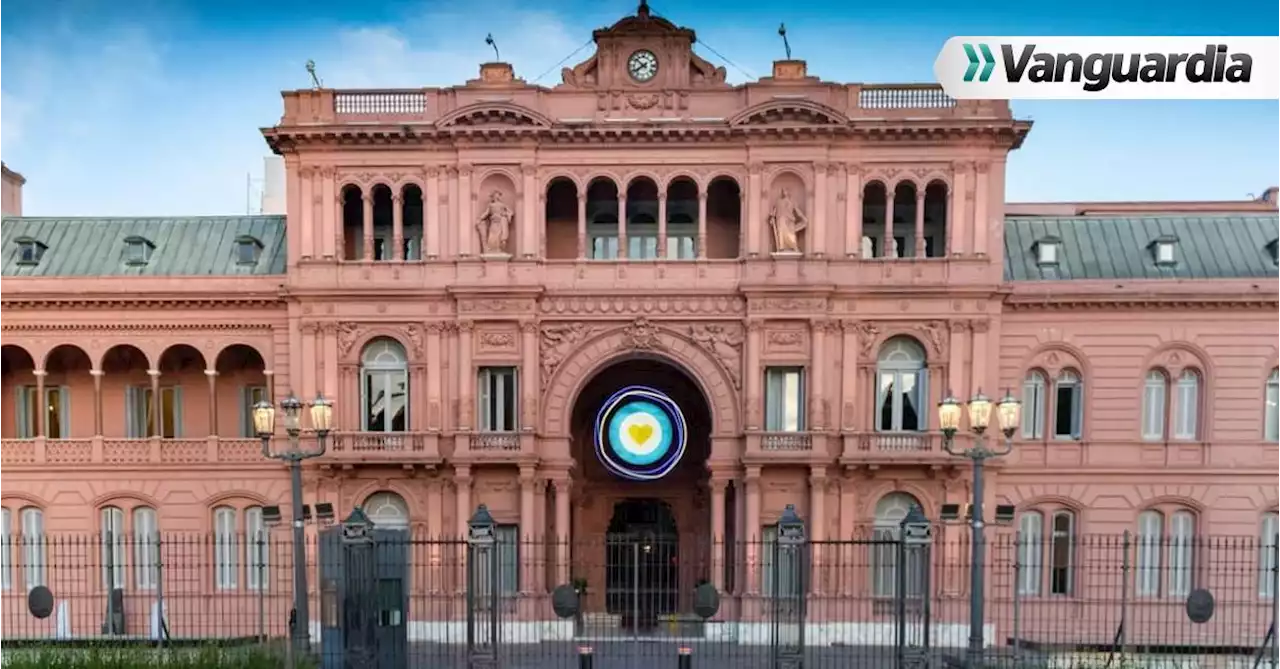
(154,107)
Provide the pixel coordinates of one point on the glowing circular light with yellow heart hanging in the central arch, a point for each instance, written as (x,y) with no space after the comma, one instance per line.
(641,434)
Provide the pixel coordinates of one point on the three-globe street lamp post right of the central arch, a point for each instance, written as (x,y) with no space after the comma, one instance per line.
(980,419)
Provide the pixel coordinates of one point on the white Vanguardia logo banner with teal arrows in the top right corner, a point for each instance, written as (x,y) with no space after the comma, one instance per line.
(1132,68)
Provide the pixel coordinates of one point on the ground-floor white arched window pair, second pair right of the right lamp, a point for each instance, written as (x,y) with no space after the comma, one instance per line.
(1165,542)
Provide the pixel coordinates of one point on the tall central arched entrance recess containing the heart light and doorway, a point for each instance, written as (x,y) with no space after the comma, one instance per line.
(643,542)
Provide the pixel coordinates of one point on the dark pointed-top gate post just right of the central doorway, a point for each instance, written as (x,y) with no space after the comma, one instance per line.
(790,592)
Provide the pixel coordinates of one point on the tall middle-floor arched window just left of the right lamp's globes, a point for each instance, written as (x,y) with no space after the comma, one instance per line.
(900,392)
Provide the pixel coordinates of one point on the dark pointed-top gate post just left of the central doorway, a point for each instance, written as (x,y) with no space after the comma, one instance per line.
(482,590)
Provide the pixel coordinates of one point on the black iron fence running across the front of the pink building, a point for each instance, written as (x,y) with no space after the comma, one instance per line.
(885,598)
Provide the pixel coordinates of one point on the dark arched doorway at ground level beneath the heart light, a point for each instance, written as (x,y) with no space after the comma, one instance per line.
(642,563)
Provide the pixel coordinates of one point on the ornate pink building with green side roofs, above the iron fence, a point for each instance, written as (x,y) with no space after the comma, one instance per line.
(804,268)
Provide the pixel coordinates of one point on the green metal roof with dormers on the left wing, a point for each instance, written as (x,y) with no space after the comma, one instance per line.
(195,246)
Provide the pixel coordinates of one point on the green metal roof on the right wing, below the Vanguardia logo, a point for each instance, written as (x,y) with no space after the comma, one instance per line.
(1098,248)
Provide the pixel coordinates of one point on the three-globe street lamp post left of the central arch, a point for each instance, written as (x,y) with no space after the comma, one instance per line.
(296,452)
